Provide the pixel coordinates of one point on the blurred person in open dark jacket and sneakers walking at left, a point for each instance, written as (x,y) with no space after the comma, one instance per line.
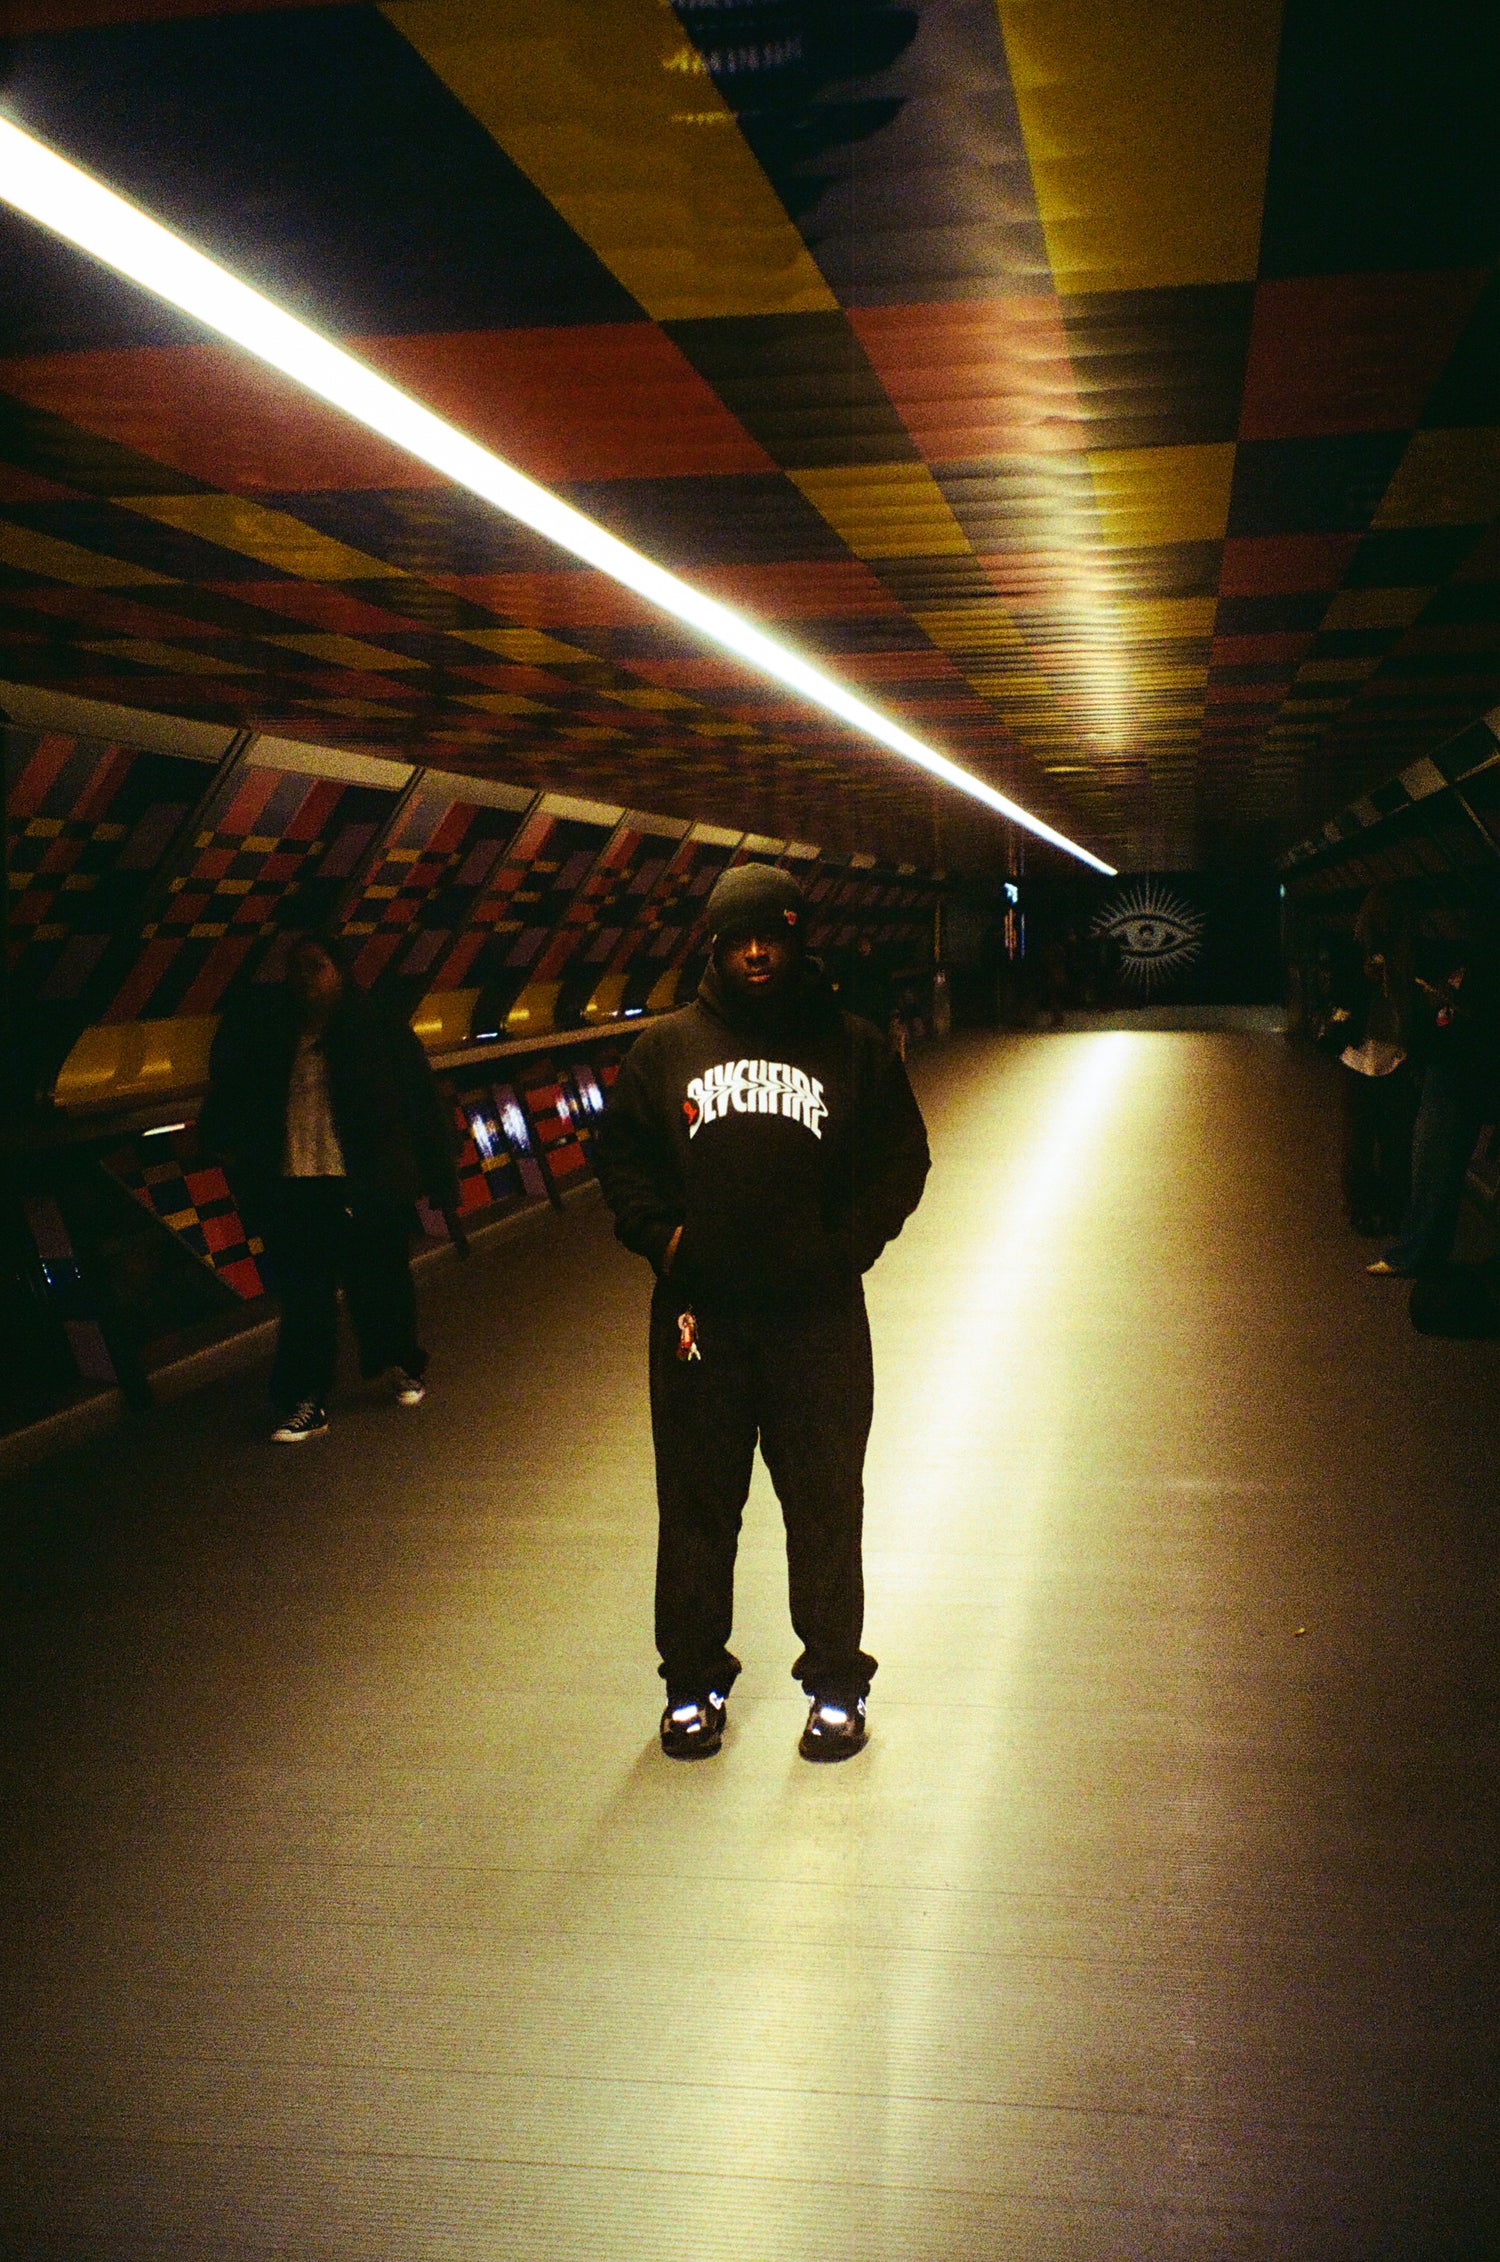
(331,1125)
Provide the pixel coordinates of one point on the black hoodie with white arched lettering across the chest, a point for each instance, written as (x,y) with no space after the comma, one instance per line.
(788,1148)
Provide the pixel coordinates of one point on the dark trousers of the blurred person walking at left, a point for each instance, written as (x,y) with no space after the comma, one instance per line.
(320,1238)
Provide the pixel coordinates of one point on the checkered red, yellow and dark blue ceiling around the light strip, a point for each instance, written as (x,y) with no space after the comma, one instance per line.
(1105,388)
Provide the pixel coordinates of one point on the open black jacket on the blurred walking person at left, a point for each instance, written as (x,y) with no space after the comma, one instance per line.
(393,1121)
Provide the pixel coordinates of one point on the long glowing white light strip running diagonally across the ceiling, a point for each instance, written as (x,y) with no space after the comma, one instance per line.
(94,218)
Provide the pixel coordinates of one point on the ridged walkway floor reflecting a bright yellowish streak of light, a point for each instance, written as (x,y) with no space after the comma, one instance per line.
(363,1922)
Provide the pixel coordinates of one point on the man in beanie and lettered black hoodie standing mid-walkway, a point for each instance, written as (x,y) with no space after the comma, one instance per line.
(761,1148)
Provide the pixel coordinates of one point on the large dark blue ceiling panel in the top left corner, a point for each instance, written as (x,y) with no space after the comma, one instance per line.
(318,157)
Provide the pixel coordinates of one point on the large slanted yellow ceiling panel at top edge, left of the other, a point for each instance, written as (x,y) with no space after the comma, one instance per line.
(607,107)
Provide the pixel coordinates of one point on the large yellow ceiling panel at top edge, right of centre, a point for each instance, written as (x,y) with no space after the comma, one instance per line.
(1148,126)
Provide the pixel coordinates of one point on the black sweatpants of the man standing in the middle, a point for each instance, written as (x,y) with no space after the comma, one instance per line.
(802,1383)
